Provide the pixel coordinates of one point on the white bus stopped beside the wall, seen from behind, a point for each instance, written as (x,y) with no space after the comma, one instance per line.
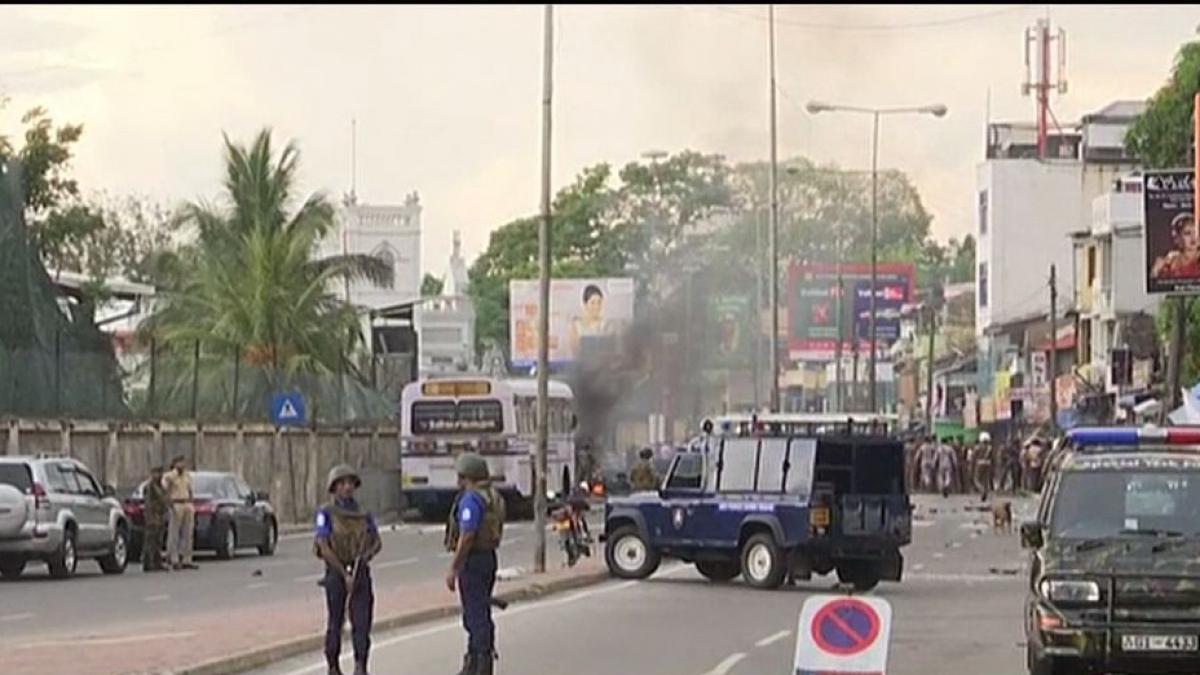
(497,419)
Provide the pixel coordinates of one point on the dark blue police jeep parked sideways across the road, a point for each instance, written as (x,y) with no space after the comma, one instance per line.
(773,498)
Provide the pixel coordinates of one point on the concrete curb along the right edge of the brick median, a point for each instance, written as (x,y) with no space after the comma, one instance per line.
(261,658)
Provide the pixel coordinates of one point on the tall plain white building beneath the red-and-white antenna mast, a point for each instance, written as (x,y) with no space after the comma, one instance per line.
(1029,207)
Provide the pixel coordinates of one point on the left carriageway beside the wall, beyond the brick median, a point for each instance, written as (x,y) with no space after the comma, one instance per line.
(39,607)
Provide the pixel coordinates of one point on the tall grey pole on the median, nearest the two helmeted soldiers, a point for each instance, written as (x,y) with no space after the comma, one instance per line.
(539,491)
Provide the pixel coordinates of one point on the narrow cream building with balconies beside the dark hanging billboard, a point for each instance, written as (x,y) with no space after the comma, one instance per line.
(1115,313)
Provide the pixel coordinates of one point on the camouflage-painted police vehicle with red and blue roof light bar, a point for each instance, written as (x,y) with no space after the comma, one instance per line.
(1115,574)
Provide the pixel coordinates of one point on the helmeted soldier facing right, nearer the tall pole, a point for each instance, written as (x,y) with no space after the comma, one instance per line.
(473,534)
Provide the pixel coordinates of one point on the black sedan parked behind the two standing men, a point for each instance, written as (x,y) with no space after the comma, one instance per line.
(229,517)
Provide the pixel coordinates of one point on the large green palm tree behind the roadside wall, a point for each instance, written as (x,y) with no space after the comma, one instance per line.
(251,284)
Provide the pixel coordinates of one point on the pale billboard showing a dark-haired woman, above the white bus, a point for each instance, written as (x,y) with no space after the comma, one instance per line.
(583,313)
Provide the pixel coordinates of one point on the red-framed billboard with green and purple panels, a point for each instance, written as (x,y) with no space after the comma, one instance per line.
(813,308)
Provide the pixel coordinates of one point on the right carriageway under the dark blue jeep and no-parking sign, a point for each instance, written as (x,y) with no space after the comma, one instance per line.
(957,612)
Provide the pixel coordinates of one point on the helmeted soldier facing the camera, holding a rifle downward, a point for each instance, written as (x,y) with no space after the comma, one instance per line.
(347,539)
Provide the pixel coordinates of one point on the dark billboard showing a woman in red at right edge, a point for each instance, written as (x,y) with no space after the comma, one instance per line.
(1173,242)
